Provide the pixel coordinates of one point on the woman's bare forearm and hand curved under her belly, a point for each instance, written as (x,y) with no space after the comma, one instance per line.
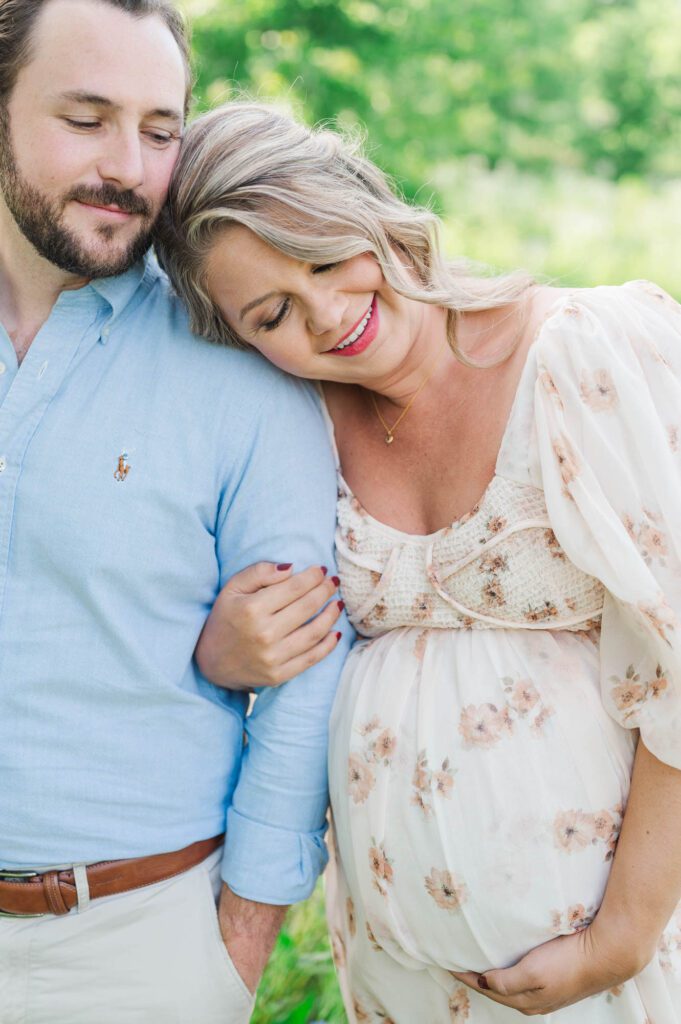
(644,889)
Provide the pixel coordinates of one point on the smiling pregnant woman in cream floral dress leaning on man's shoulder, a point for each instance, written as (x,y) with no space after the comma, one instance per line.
(506,743)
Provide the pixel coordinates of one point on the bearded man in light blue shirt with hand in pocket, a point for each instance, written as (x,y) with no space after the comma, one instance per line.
(140,470)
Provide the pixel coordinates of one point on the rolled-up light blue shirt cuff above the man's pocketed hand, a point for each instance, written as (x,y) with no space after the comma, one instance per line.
(270,865)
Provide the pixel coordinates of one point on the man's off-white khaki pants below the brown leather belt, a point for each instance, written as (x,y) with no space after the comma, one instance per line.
(150,957)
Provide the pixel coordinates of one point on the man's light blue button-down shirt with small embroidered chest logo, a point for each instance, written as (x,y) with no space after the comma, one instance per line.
(140,470)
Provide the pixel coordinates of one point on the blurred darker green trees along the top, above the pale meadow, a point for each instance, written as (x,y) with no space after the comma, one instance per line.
(589,86)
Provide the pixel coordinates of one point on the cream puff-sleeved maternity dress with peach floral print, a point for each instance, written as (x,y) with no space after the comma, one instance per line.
(485,732)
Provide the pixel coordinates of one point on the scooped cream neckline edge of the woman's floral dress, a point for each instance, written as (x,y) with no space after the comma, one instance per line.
(527,374)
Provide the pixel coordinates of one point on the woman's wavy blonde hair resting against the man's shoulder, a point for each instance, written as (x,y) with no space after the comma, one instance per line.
(312,195)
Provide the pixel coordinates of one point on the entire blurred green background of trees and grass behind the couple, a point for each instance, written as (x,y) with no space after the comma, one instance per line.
(546,133)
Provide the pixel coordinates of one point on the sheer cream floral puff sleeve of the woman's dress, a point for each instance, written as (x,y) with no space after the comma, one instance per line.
(608,412)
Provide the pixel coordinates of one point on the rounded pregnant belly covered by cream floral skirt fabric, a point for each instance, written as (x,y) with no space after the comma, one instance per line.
(478,788)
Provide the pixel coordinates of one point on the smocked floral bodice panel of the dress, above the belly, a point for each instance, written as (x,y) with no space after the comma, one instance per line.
(499,567)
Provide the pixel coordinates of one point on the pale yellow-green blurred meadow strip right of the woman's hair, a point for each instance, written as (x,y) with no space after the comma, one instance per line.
(568,228)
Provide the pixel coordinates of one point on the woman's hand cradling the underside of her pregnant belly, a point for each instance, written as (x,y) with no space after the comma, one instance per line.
(564,971)
